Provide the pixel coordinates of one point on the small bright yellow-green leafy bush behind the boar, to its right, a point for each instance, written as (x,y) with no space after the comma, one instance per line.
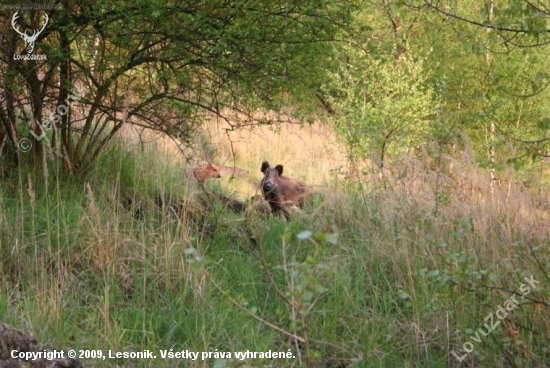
(383,106)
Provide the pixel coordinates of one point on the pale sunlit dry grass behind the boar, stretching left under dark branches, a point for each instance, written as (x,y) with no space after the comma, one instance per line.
(310,153)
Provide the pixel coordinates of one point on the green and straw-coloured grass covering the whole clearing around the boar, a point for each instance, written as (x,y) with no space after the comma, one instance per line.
(413,272)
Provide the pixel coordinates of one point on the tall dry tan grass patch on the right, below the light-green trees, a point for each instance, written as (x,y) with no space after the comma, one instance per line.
(452,197)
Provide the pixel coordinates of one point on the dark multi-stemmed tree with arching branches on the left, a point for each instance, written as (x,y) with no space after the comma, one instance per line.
(162,65)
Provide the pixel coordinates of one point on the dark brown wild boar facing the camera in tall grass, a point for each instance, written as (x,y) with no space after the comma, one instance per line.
(281,192)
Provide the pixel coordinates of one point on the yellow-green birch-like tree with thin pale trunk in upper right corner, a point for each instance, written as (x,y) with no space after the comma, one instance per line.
(502,75)
